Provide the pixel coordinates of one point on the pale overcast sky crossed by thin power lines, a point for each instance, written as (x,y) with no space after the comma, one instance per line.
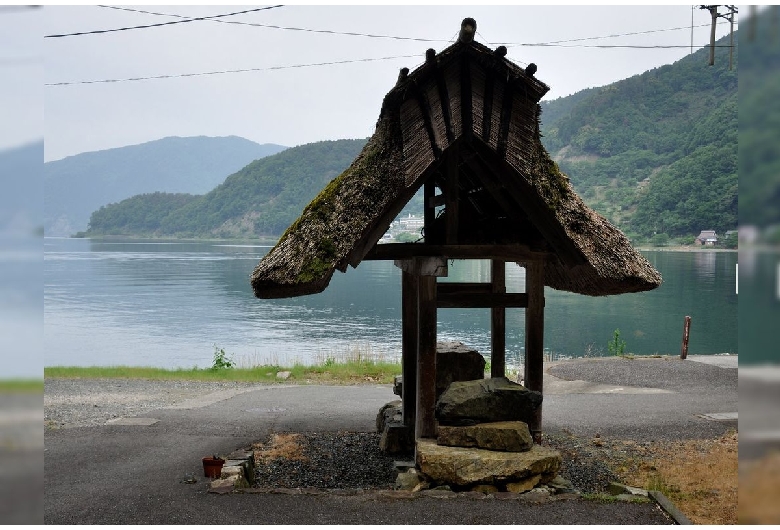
(297,105)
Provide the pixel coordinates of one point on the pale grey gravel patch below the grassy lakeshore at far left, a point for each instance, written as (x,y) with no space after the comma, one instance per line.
(86,402)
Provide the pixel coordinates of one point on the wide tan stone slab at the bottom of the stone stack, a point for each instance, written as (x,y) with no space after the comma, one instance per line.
(464,466)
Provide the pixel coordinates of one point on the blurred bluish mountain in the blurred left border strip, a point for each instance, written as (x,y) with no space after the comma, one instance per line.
(21,202)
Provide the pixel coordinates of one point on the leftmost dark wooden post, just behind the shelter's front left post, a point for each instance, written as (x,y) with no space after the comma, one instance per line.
(409,327)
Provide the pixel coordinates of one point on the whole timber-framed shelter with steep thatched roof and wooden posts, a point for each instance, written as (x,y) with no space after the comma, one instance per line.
(464,126)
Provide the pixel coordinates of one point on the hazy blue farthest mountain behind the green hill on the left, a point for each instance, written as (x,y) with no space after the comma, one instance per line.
(76,186)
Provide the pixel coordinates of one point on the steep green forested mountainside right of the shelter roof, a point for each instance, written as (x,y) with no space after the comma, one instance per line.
(655,153)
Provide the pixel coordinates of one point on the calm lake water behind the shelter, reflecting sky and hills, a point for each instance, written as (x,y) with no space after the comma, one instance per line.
(167,304)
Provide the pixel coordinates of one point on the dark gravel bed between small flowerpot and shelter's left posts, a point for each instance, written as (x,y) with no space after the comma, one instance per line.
(332,460)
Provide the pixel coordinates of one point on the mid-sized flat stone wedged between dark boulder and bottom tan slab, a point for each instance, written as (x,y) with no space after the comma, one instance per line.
(512,436)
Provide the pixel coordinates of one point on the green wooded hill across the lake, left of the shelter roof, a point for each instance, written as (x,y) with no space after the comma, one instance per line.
(263,198)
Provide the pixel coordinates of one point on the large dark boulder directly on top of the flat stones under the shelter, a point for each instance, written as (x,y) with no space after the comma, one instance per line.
(486,400)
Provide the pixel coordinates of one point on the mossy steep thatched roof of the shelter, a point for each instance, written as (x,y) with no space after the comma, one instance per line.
(469,107)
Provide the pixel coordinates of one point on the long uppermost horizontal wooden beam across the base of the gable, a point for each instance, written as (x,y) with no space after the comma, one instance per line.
(405,251)
